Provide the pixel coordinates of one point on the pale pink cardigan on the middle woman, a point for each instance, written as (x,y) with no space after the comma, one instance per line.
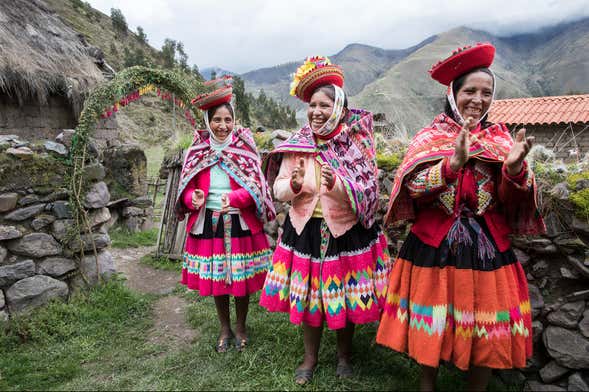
(337,211)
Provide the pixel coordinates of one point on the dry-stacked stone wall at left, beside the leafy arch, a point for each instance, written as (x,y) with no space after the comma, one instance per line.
(40,259)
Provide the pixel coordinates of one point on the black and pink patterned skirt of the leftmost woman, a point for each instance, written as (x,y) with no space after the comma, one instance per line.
(225,259)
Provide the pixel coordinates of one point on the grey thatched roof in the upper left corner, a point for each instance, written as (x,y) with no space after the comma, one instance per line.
(41,56)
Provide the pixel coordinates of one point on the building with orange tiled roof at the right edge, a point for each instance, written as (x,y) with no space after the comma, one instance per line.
(560,123)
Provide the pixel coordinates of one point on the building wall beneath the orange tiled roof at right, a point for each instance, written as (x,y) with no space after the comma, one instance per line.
(548,136)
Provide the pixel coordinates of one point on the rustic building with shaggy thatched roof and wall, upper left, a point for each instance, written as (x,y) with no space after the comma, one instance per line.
(46,69)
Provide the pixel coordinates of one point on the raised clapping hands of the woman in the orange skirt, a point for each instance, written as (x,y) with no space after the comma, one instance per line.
(514,161)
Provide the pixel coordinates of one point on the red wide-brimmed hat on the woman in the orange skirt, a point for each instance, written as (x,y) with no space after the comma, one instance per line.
(461,61)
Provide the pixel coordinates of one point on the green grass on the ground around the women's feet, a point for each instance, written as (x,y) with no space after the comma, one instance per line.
(100,341)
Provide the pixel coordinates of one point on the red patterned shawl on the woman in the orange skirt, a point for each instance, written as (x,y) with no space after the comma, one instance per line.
(435,142)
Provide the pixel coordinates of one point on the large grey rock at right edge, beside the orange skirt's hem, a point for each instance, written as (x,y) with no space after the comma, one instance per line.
(567,347)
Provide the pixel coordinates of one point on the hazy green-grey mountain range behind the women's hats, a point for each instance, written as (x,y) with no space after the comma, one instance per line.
(552,61)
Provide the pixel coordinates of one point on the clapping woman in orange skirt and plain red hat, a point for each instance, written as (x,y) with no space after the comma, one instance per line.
(457,291)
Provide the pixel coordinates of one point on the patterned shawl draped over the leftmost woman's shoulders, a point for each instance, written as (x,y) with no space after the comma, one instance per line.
(240,160)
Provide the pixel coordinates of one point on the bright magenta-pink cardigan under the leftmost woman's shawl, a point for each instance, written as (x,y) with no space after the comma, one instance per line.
(238,198)
